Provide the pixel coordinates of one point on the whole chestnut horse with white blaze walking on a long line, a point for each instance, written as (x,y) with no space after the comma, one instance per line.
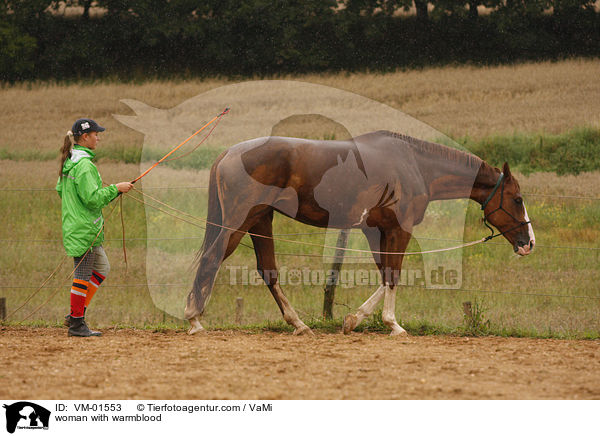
(380,182)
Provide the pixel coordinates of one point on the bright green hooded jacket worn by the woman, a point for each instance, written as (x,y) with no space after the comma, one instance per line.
(83,197)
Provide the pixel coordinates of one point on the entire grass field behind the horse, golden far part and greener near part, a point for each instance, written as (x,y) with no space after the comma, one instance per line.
(463,102)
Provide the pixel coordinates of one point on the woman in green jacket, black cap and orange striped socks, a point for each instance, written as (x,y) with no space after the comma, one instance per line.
(83,197)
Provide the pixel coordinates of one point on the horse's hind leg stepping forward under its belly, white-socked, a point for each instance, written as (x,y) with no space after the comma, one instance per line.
(266,266)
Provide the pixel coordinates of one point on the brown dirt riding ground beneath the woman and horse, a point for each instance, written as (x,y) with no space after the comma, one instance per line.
(43,363)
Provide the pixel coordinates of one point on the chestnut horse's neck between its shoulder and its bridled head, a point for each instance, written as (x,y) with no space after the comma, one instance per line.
(449,179)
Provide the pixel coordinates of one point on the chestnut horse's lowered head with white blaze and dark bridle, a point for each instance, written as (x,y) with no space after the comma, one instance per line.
(505,210)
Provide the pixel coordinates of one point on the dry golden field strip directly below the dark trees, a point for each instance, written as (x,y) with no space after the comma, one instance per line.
(457,101)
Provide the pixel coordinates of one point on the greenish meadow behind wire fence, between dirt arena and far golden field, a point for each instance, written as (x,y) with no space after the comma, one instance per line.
(126,298)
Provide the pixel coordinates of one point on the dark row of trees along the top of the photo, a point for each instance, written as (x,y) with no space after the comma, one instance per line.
(138,39)
